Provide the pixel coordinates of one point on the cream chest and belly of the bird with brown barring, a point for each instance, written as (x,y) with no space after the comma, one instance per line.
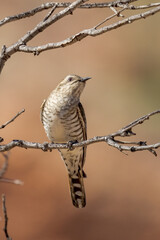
(61,120)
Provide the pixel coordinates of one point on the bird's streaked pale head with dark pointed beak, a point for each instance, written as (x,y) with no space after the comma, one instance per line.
(73,85)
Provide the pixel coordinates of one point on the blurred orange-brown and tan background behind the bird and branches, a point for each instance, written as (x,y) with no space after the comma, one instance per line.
(123,191)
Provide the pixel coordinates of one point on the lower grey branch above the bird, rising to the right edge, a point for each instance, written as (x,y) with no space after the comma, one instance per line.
(88,32)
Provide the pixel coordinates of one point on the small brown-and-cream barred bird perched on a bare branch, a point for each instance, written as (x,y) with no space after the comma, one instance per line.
(64,121)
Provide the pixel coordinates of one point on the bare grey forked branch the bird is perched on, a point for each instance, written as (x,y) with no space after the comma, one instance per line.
(109,139)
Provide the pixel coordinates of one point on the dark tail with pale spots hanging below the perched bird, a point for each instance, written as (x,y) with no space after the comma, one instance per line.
(77,190)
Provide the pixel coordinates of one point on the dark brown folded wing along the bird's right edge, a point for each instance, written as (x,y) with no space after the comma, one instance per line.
(82,118)
